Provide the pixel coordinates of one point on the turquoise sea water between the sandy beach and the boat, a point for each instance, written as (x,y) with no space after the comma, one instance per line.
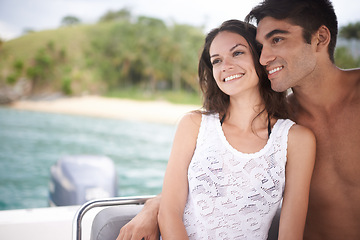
(31,142)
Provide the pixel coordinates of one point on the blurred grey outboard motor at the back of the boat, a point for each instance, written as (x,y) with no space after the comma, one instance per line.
(75,180)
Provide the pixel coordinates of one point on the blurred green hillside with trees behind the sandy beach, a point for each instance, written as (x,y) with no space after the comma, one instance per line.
(108,58)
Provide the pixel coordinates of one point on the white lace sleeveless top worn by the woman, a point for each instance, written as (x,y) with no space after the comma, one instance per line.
(233,195)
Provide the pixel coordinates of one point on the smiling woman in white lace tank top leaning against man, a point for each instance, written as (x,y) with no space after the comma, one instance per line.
(229,161)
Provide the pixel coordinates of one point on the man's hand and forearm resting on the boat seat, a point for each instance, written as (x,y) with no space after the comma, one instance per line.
(143,225)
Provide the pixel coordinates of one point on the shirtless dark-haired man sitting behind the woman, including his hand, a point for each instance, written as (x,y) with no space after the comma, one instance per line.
(325,99)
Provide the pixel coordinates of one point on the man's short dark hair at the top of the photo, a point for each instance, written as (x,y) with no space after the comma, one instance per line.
(308,14)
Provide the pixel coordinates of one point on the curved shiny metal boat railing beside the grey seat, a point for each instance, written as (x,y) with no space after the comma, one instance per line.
(77,228)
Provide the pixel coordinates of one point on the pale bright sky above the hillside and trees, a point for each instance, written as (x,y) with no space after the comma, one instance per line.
(38,15)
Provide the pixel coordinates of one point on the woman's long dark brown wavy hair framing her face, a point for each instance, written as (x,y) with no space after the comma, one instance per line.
(215,100)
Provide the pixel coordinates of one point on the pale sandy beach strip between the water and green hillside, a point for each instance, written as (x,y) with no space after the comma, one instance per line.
(148,111)
